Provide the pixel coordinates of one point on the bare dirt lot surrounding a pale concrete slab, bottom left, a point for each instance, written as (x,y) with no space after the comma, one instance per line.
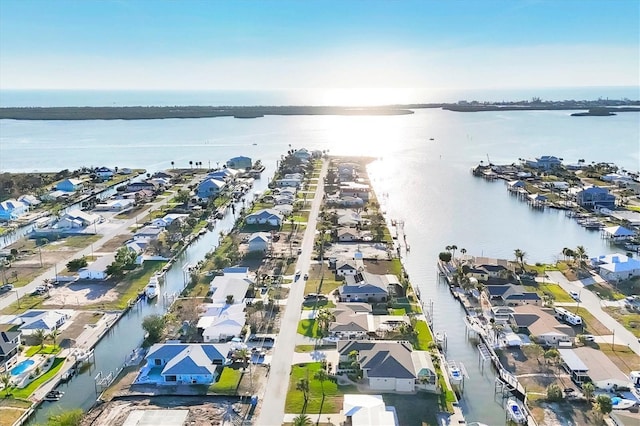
(201,410)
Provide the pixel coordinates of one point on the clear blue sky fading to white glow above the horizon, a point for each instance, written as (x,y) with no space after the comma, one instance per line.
(270,44)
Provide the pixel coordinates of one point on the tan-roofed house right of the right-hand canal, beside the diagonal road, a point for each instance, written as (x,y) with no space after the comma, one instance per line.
(542,325)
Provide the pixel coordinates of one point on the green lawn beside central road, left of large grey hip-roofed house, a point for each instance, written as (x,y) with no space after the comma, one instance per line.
(295,398)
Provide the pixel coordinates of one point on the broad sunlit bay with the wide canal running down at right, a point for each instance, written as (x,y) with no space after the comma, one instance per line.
(428,182)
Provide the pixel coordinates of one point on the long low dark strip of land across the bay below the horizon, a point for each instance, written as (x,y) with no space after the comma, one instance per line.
(155,112)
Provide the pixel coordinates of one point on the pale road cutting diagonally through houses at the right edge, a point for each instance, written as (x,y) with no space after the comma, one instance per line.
(588,300)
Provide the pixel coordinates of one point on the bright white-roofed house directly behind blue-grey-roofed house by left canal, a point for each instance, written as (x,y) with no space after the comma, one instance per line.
(221,322)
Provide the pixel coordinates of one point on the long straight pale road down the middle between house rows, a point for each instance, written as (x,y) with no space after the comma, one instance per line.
(272,411)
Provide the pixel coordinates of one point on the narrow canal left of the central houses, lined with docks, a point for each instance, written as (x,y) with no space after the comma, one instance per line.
(123,338)
